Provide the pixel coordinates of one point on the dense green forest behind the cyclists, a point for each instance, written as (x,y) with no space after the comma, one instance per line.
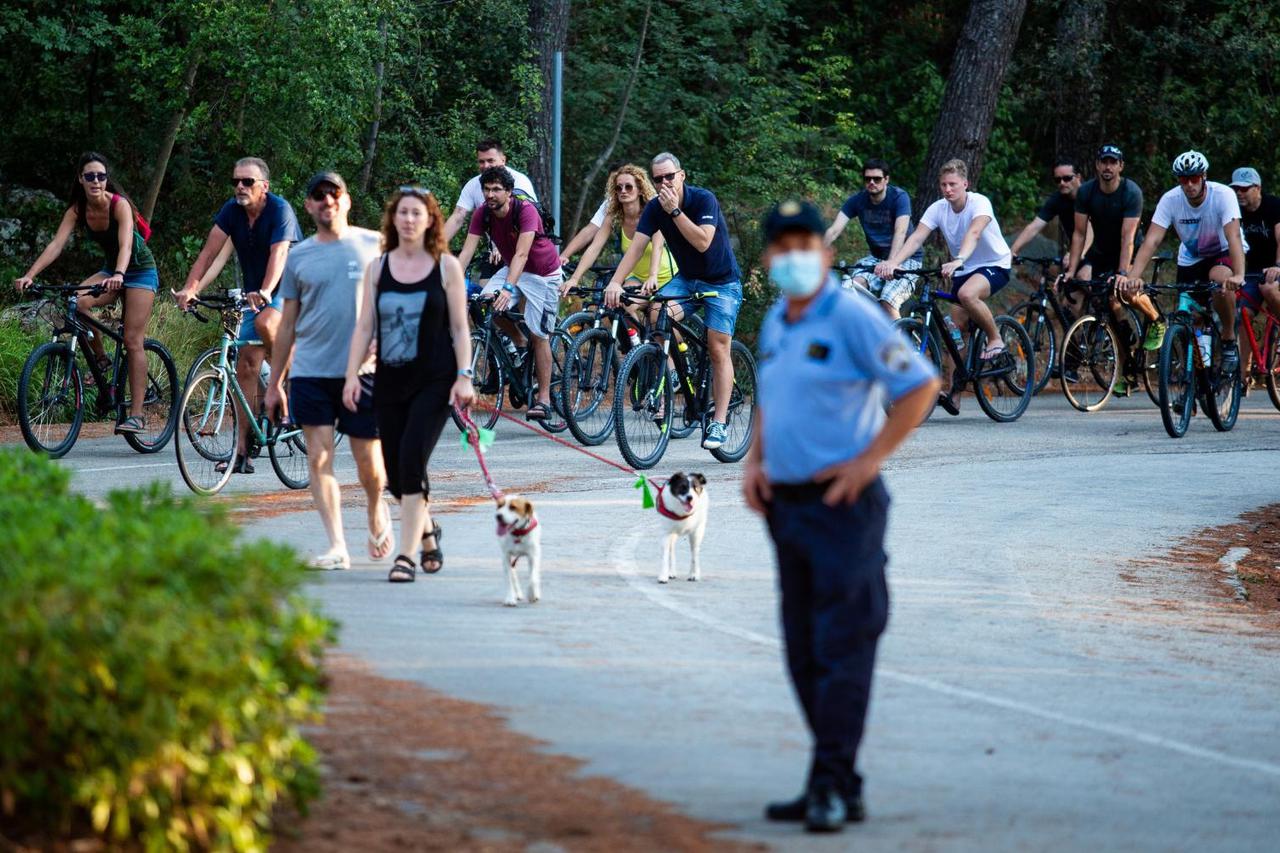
(760,98)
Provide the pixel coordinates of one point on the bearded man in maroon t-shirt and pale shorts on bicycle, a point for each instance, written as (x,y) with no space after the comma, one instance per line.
(531,273)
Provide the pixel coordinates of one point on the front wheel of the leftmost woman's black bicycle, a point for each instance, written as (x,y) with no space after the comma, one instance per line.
(51,399)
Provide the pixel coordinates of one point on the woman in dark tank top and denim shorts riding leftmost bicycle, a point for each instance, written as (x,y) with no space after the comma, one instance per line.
(109,218)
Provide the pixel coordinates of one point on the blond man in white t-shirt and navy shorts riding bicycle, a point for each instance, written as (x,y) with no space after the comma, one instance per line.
(980,259)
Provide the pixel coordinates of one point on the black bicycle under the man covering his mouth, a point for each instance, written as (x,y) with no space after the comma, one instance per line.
(644,402)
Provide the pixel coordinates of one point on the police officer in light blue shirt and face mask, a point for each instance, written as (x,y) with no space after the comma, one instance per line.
(829,359)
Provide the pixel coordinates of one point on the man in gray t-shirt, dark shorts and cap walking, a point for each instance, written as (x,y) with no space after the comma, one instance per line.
(322,290)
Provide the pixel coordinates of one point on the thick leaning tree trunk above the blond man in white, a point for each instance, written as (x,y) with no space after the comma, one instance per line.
(970,99)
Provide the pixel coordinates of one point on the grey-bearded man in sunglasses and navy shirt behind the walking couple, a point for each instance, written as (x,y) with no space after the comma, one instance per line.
(262,227)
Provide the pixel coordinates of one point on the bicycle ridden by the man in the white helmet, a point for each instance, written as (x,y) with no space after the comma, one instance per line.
(1191,362)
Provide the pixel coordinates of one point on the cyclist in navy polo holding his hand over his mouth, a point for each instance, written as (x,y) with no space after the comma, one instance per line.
(697,234)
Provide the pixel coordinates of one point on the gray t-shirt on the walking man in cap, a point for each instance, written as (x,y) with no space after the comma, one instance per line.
(323,277)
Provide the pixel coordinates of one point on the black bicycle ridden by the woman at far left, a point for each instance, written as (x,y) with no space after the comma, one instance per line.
(52,395)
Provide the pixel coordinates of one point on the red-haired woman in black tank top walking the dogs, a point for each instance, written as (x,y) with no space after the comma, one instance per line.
(414,298)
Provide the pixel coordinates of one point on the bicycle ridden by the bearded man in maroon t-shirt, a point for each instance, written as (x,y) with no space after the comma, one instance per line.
(501,371)
